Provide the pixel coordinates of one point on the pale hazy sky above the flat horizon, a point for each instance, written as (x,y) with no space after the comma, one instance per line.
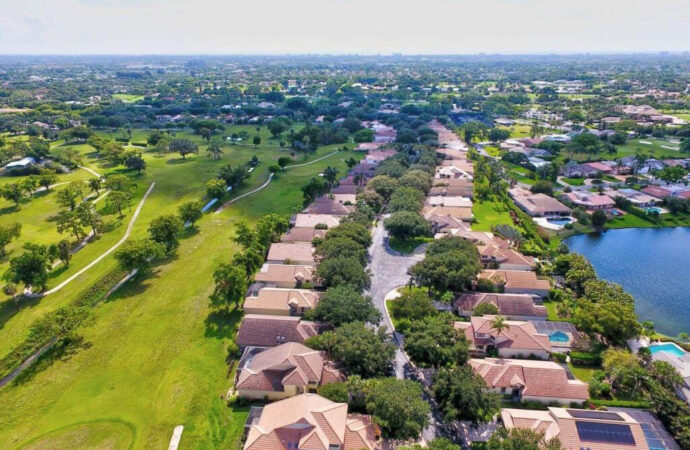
(342,26)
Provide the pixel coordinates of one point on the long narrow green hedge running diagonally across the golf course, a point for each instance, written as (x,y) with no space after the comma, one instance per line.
(60,322)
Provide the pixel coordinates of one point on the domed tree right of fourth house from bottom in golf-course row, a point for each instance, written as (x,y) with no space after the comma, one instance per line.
(344,304)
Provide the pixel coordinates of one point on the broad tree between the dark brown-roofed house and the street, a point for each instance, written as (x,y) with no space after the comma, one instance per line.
(362,350)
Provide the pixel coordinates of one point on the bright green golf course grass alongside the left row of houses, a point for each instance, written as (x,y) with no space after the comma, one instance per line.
(154,356)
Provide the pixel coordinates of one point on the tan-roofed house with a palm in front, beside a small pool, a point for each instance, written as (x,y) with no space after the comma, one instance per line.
(518,339)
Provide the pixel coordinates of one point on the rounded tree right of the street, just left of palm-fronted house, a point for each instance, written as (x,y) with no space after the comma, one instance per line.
(434,341)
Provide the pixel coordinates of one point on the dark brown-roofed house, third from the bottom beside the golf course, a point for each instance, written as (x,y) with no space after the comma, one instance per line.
(259,330)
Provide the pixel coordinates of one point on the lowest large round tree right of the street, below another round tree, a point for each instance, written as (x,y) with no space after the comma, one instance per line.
(461,395)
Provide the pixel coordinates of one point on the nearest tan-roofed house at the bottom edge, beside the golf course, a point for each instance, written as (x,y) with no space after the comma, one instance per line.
(309,421)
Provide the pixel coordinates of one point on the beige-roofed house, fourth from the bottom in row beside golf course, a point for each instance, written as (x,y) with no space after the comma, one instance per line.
(281,302)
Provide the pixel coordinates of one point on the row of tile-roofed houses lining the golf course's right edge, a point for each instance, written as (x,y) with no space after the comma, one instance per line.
(275,363)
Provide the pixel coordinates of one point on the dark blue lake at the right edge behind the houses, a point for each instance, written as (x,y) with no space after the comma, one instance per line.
(652,264)
